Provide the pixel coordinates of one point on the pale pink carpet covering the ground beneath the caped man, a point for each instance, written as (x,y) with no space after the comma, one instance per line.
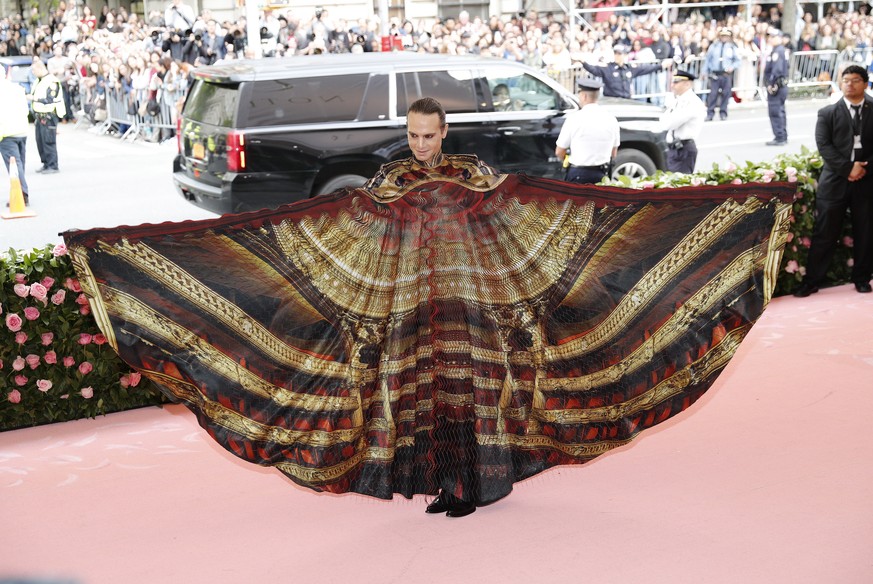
(768,478)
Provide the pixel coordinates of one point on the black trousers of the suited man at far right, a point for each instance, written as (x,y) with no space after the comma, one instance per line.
(829,217)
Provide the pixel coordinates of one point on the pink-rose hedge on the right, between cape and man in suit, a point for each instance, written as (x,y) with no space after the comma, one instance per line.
(803,169)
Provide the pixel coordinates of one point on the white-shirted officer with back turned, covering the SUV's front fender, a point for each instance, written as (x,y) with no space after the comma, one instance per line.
(591,135)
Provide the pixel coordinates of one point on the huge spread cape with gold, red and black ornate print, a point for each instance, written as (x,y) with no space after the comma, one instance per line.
(440,328)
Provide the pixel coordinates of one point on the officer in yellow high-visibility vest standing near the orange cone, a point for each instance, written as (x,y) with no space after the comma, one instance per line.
(48,107)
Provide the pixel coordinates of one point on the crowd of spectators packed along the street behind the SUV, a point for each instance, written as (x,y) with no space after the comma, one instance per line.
(154,54)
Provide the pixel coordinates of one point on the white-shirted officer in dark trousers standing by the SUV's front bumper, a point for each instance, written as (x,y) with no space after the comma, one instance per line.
(683,121)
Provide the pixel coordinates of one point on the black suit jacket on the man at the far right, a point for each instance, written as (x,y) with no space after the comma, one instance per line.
(835,139)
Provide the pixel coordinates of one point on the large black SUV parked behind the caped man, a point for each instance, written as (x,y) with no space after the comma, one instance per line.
(261,133)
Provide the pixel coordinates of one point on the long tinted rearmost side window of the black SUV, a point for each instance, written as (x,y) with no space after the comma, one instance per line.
(308,100)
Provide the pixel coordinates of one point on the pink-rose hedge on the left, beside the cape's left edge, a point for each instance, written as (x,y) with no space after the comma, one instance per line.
(55,364)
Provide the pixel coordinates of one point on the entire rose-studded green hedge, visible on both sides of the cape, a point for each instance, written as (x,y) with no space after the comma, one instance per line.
(56,366)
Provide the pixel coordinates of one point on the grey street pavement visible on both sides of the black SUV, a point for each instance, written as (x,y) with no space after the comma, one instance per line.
(105,182)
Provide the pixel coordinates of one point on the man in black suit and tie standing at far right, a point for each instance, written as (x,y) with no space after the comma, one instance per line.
(844,136)
